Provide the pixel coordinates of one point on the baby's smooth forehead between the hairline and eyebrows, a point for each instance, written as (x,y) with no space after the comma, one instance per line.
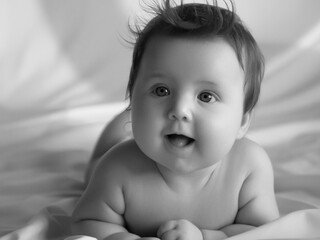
(208,59)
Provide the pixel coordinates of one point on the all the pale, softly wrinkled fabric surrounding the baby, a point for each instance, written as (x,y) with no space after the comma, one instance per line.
(64,71)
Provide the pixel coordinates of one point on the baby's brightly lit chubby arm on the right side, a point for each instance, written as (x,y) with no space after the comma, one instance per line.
(257,202)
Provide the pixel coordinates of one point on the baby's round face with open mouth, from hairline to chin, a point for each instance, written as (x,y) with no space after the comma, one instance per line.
(187,102)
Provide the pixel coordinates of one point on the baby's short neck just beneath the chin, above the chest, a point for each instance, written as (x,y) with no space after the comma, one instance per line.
(191,181)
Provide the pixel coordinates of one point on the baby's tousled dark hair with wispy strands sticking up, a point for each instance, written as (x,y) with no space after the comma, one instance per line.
(196,20)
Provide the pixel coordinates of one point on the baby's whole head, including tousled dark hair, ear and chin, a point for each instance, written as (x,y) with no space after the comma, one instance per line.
(194,81)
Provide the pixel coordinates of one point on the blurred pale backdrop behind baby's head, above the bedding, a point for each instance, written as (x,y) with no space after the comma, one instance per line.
(64,54)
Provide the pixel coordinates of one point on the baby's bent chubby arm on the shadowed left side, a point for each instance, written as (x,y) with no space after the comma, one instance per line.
(99,213)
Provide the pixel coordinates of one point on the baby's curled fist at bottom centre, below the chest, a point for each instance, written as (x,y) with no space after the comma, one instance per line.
(179,229)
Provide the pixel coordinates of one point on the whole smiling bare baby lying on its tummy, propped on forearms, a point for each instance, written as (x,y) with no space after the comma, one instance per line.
(188,171)
